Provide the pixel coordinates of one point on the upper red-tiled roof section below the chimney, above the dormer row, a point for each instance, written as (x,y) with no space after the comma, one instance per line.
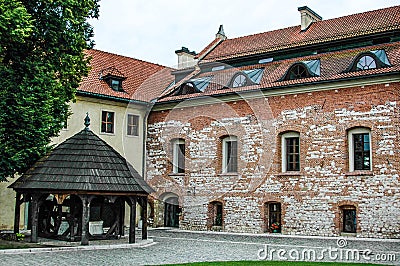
(319,32)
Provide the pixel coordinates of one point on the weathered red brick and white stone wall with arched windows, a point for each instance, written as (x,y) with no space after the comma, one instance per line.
(311,198)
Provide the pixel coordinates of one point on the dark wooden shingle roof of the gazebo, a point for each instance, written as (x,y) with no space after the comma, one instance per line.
(83,162)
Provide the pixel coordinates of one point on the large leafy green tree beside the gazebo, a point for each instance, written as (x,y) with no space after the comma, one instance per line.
(42,62)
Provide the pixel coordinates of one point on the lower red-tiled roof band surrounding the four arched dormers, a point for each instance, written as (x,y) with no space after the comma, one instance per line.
(334,66)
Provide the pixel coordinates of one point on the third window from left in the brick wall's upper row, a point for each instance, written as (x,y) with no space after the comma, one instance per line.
(290,152)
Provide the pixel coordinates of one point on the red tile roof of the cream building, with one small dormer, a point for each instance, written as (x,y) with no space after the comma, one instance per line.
(139,75)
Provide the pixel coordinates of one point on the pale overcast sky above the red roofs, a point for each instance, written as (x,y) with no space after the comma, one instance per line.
(152,30)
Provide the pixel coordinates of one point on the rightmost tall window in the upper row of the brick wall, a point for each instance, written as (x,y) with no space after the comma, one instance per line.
(359,149)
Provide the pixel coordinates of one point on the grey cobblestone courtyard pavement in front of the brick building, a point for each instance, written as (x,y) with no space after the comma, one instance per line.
(176,246)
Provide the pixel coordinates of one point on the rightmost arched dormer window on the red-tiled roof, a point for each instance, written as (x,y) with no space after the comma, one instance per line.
(370,60)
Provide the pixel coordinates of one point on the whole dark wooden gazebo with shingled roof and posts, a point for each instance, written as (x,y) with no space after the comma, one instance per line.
(82,182)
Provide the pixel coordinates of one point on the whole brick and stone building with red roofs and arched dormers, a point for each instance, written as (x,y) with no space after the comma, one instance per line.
(292,131)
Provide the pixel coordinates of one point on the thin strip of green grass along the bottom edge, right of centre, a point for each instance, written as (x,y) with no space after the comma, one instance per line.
(274,263)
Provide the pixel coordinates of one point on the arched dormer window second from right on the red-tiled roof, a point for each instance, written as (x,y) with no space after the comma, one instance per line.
(304,69)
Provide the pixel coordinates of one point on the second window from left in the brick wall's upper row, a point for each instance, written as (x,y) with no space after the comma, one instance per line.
(229,154)
